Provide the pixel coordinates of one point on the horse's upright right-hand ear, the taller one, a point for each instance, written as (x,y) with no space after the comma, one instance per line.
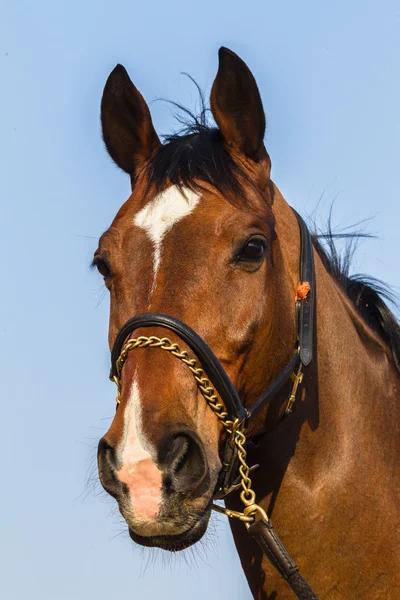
(236,106)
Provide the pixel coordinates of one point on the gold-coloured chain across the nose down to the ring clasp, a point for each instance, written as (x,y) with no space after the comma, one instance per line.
(233,428)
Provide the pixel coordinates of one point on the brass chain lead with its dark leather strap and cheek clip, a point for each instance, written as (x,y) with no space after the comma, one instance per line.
(261,530)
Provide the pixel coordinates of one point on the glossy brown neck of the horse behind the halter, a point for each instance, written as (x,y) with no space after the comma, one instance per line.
(322,470)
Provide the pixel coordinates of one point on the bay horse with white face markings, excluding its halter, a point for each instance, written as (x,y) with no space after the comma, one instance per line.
(207,238)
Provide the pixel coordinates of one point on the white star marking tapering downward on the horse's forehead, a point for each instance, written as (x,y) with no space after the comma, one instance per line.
(161,214)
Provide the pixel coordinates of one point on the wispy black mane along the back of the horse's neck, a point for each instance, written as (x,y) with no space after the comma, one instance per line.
(368,294)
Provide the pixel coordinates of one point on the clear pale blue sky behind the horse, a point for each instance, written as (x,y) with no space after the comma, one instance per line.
(329,75)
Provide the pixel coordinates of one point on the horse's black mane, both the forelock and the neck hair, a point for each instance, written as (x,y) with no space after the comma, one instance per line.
(196,154)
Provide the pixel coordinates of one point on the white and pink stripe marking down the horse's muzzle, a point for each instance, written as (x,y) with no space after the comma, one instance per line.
(139,471)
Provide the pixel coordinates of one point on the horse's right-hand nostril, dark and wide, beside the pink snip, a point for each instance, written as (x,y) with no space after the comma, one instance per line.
(184,463)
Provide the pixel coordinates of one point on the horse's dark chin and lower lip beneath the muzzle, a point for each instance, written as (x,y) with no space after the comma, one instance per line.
(174,543)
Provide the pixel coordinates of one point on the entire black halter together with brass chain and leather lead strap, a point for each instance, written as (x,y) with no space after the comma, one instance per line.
(233,415)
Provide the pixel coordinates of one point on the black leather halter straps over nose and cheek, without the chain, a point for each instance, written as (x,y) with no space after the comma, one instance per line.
(303,348)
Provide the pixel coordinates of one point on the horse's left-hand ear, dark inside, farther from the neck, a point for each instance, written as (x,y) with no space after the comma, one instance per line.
(128,131)
